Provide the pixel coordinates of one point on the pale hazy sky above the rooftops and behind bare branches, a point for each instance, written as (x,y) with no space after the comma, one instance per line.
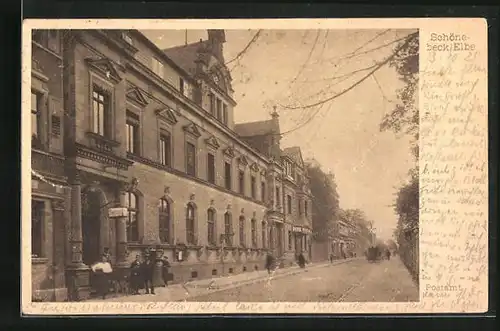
(293,68)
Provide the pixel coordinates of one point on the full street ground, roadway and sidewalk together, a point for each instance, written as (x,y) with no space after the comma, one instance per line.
(344,280)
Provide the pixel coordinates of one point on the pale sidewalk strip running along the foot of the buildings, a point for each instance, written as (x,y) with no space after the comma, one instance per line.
(195,288)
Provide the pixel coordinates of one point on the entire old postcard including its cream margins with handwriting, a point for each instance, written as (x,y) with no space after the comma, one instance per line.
(254,166)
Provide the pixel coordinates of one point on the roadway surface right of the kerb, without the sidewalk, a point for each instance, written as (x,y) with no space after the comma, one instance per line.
(386,281)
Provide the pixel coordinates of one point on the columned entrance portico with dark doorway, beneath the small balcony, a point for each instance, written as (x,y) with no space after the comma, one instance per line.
(98,222)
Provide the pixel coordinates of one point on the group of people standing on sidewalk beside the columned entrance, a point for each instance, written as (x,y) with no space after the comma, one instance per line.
(140,276)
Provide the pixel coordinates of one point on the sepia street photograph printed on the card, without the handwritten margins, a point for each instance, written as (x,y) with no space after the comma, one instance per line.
(224,165)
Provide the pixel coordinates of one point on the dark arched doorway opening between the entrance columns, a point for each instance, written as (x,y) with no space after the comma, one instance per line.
(91,226)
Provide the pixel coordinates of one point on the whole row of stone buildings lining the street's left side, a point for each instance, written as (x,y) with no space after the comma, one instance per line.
(135,148)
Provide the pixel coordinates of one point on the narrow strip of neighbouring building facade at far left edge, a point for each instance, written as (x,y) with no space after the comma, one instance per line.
(49,182)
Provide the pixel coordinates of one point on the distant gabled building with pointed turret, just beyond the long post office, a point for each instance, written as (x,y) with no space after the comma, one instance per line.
(290,208)
